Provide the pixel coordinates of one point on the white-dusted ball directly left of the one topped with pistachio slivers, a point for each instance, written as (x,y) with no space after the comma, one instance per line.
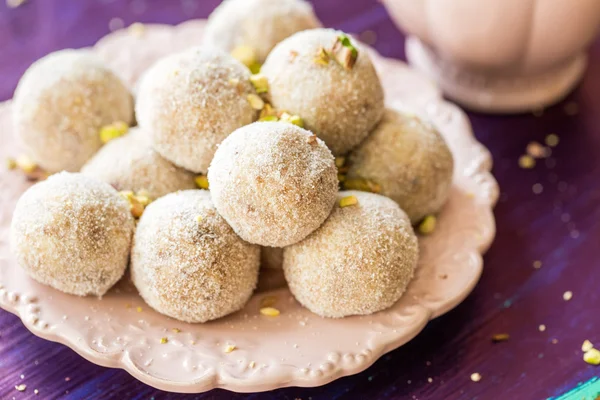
(191,101)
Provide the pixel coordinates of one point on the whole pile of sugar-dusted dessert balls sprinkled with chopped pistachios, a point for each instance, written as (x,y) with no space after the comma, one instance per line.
(227,162)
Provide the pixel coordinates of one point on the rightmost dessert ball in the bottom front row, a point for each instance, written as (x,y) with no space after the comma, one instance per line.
(359,262)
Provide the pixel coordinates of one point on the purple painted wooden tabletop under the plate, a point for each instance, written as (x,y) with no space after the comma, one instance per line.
(560,227)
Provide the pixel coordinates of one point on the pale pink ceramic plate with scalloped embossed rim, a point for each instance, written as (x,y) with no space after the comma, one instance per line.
(297,348)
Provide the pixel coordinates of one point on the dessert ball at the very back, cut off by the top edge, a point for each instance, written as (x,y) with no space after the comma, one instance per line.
(257,24)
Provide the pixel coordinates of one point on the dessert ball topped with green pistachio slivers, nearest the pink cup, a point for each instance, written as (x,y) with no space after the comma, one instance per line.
(339,102)
